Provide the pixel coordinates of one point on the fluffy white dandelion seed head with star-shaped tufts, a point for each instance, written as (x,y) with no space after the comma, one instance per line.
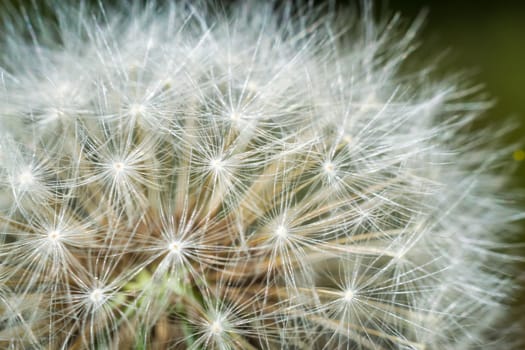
(193,176)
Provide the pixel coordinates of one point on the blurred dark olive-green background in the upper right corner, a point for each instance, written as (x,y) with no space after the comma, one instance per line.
(486,38)
